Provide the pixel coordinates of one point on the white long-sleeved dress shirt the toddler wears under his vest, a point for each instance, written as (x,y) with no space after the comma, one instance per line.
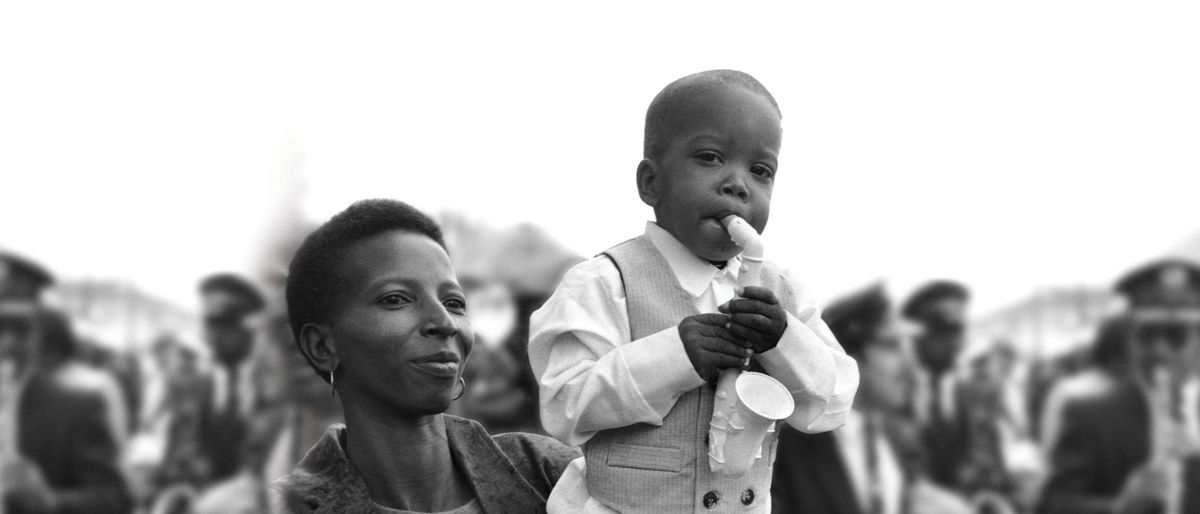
(592,378)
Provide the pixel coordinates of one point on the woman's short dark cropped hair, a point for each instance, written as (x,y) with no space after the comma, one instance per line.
(313,276)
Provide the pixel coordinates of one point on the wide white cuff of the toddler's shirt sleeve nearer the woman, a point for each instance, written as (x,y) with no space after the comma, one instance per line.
(661,369)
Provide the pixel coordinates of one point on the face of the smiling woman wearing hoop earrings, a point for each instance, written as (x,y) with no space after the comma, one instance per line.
(403,333)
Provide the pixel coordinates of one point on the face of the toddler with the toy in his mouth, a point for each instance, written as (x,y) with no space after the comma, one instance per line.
(722,160)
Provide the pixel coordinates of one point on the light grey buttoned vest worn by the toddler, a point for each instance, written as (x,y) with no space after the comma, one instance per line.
(665,469)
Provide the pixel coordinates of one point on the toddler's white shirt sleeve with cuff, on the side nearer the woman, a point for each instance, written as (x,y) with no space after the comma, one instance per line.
(591,376)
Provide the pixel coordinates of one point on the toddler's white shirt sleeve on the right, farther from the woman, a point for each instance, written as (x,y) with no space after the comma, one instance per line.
(813,366)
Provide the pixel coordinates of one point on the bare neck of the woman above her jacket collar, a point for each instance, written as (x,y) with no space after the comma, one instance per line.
(405,462)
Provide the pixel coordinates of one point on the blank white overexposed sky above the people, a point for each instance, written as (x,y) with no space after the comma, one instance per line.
(1012,146)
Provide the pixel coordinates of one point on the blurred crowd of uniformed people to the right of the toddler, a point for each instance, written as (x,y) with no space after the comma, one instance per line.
(940,426)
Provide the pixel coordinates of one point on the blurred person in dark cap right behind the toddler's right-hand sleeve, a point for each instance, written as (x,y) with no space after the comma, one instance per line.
(874,464)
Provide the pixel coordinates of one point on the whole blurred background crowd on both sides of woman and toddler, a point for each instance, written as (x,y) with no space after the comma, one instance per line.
(943,423)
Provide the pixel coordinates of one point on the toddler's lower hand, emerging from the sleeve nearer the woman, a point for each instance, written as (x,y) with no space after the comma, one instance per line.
(710,345)
